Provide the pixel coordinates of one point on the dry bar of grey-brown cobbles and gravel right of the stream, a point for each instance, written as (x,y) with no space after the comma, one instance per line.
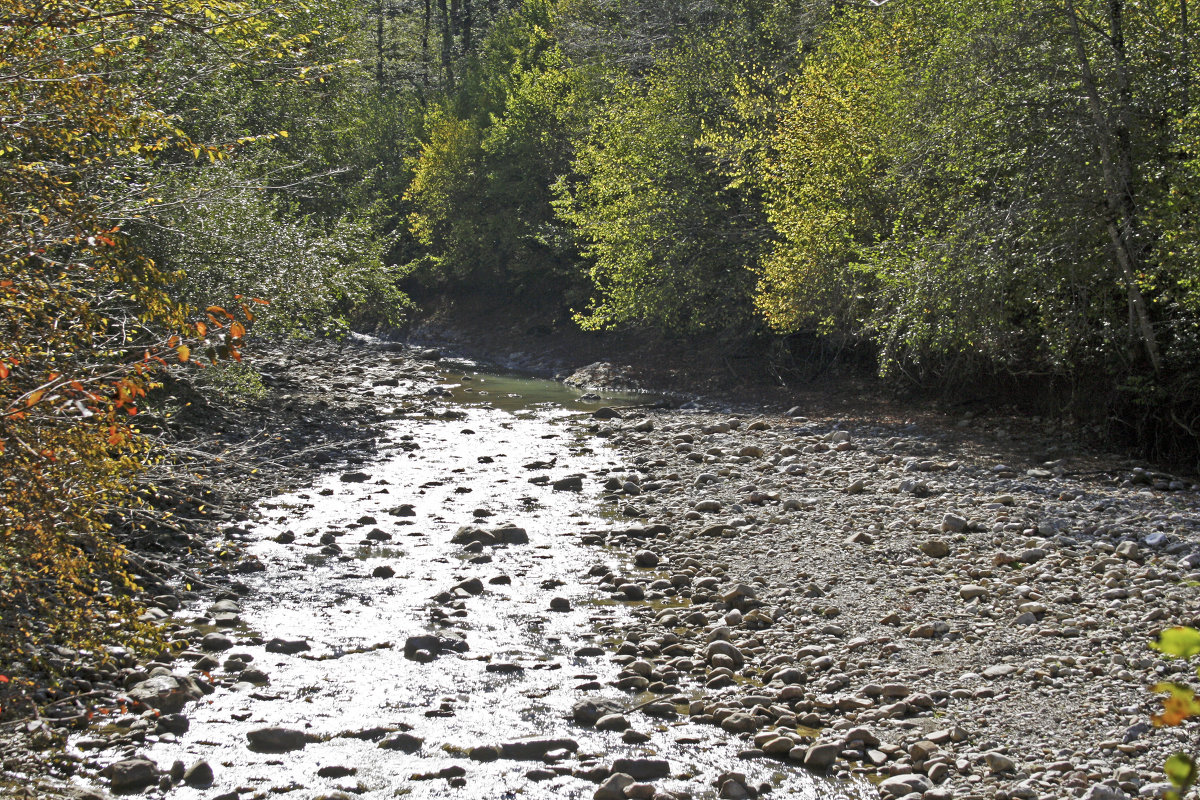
(897,603)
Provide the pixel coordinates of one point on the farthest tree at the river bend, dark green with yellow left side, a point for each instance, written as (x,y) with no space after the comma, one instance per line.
(481,190)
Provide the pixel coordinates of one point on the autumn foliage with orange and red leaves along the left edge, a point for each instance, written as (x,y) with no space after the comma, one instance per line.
(87,320)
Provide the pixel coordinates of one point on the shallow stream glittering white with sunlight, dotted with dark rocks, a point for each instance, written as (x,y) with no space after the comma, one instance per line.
(526,666)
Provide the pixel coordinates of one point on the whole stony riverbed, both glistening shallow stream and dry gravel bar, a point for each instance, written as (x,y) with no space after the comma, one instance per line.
(497,593)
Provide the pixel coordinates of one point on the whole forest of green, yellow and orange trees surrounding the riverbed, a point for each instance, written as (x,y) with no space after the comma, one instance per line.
(962,194)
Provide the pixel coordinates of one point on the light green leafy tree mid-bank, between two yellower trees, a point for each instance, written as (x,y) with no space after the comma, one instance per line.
(670,238)
